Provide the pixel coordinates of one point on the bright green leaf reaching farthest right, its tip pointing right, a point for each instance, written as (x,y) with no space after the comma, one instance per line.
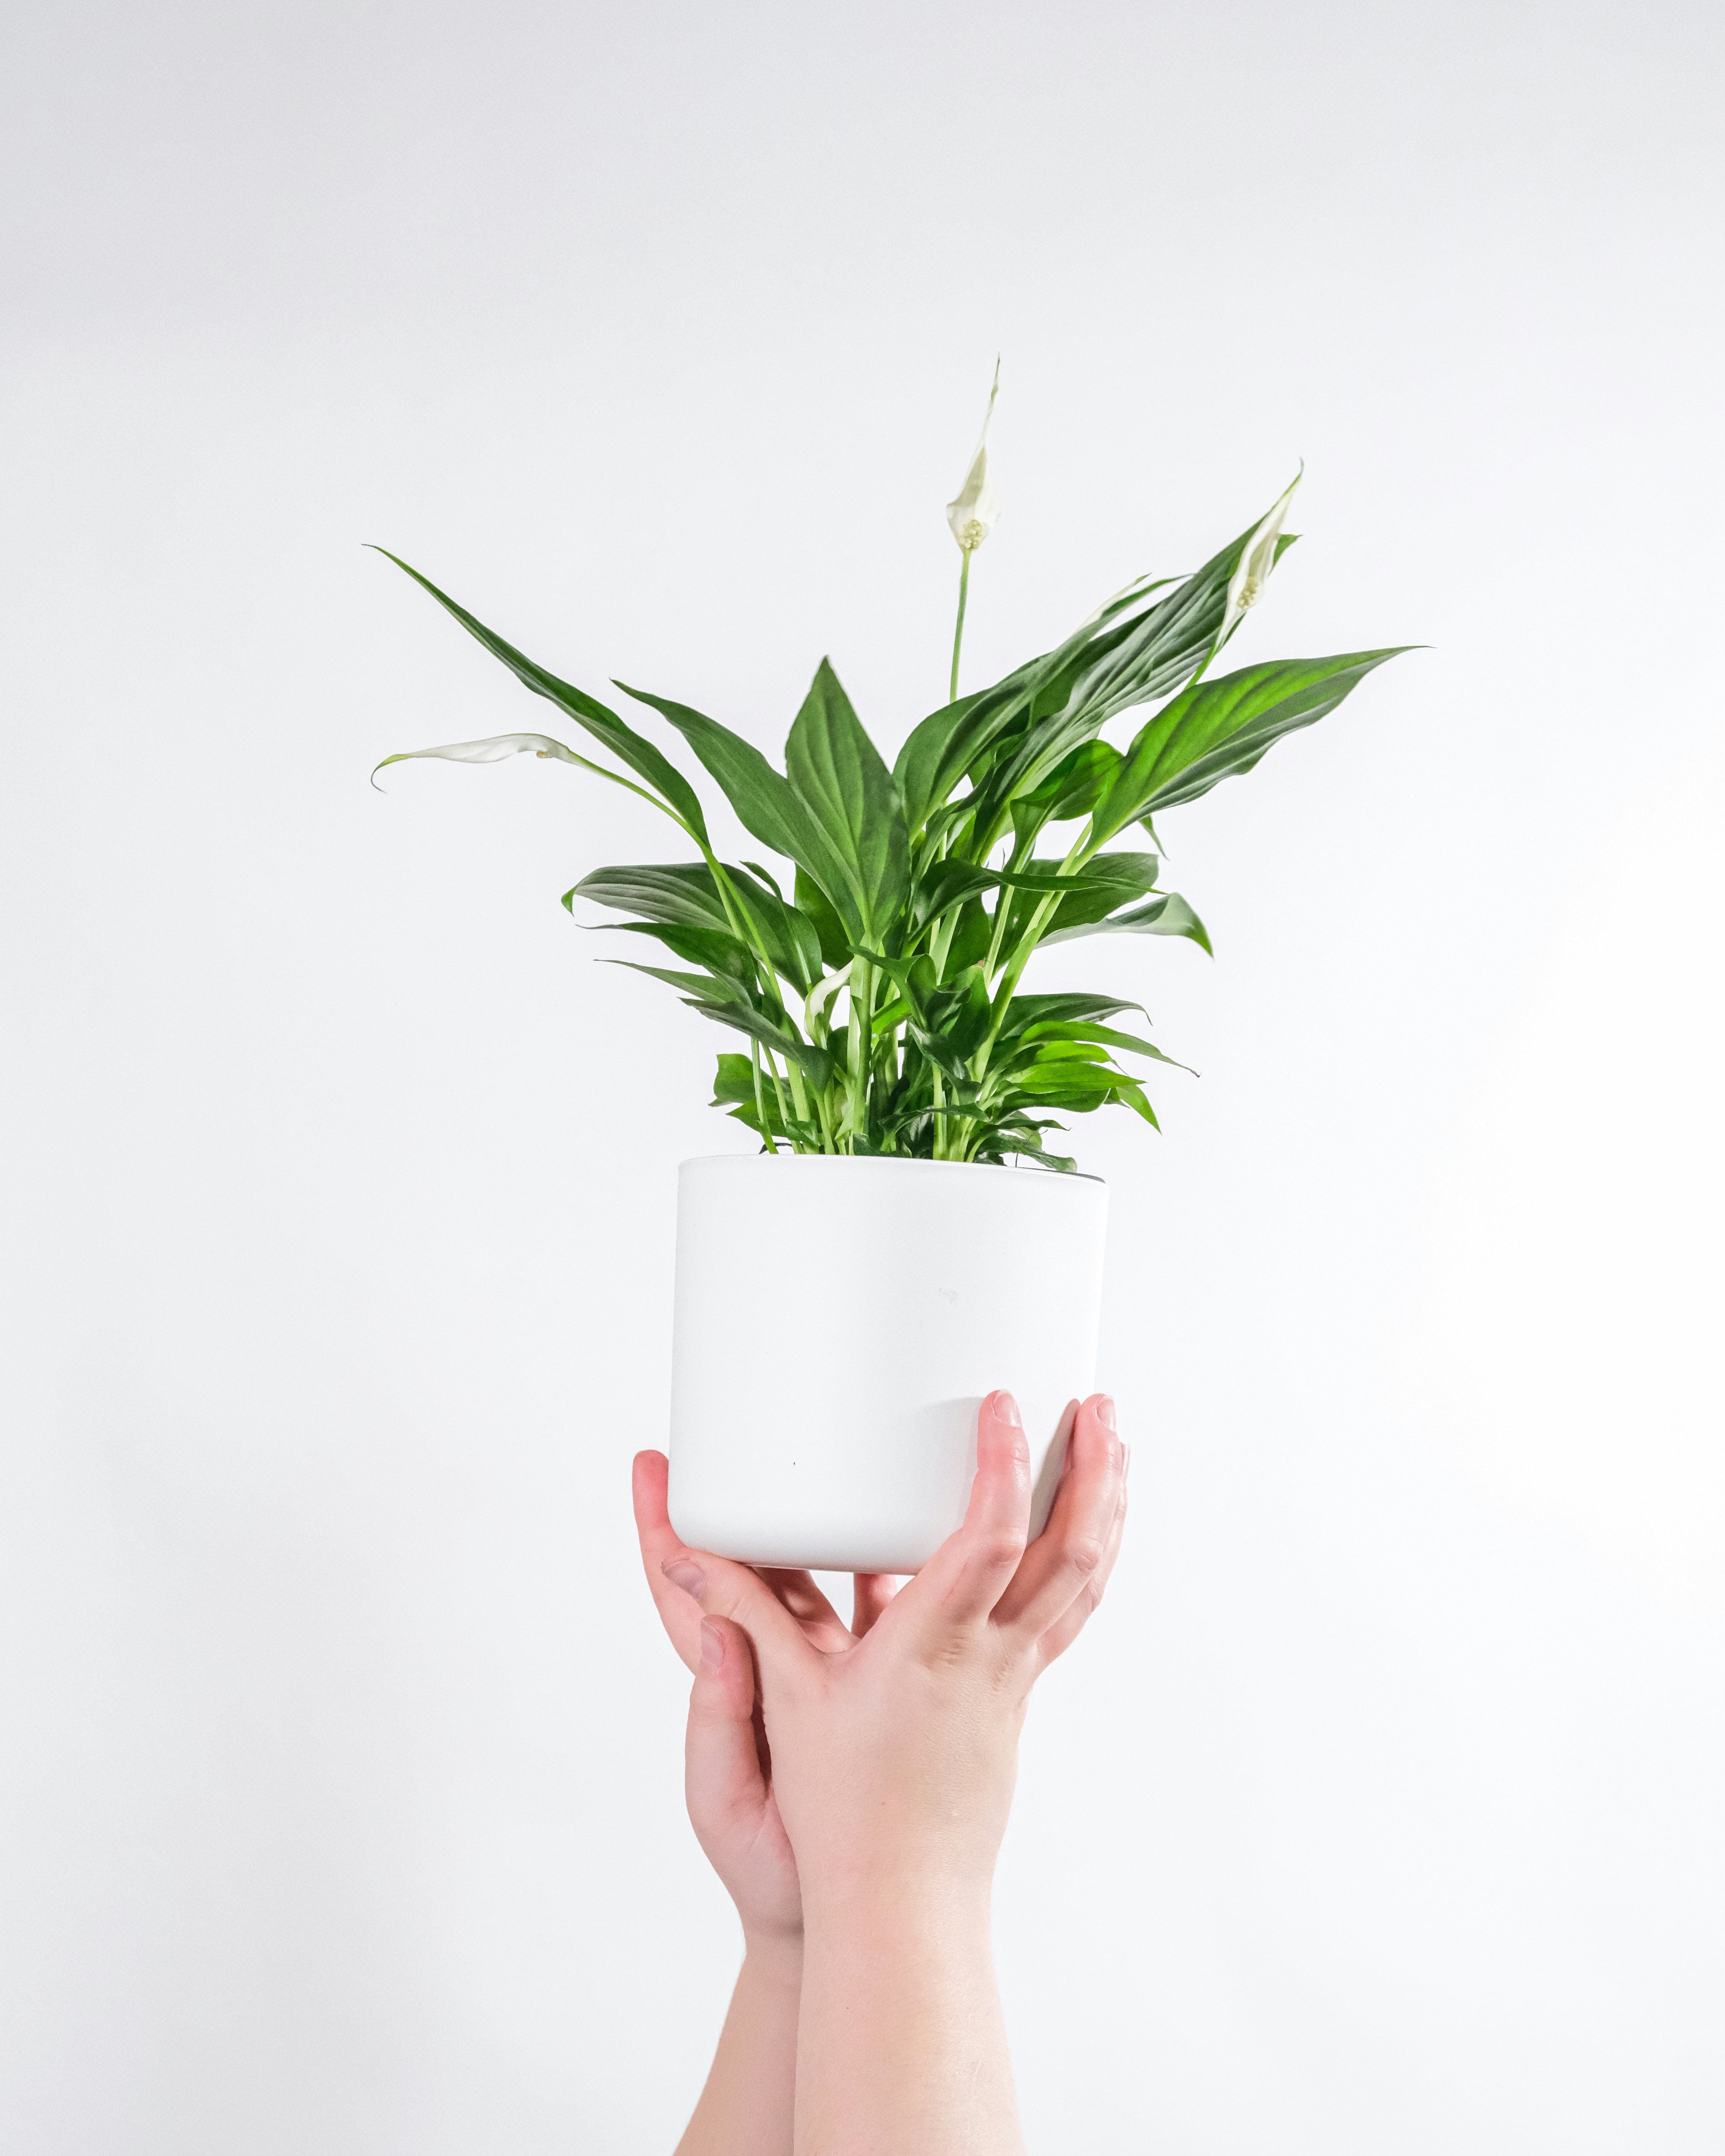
(1222,728)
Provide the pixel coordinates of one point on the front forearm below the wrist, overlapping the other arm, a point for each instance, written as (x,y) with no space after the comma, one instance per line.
(902,2049)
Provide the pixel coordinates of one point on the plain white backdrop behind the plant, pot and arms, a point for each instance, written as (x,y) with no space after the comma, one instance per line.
(342,1803)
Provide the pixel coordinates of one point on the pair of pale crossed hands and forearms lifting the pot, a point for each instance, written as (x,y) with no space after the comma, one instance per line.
(851,1786)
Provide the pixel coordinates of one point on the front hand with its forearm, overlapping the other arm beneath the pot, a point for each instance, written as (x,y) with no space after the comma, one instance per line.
(894,1758)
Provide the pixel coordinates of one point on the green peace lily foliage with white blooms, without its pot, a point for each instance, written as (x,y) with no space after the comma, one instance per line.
(879,973)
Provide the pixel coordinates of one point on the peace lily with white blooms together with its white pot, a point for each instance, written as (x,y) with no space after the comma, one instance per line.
(898,1075)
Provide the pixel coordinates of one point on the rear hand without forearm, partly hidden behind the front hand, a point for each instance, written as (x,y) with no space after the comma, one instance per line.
(728,1767)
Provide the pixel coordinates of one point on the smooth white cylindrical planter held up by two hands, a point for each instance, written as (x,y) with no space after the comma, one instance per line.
(838,1329)
